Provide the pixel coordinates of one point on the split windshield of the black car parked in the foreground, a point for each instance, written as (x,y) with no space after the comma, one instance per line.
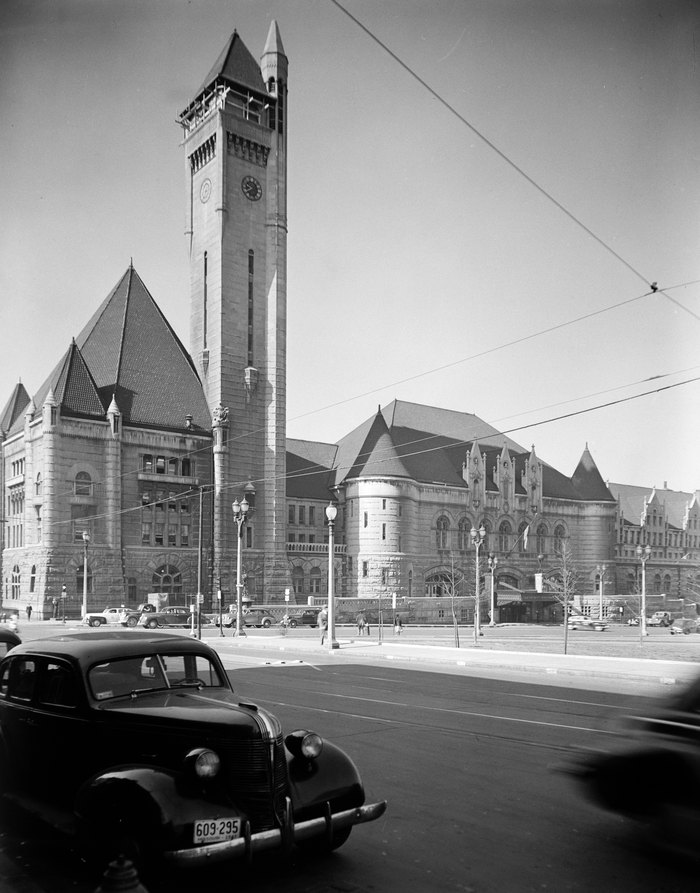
(135,675)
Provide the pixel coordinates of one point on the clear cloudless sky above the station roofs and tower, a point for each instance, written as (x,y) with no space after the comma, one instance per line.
(423,266)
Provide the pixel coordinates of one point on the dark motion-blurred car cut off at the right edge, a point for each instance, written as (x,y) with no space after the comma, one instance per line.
(653,774)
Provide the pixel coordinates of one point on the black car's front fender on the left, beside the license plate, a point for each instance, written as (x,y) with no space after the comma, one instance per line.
(154,805)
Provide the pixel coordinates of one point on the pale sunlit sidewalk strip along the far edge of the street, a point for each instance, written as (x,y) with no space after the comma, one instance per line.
(570,669)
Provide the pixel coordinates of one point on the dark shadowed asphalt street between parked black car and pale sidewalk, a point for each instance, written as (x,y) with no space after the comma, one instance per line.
(468,767)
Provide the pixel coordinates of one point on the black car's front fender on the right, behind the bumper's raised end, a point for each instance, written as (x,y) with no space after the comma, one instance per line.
(331,777)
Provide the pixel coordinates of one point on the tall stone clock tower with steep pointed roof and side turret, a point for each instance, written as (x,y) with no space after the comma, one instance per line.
(235,141)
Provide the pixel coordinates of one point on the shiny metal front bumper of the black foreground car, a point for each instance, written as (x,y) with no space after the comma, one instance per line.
(249,844)
